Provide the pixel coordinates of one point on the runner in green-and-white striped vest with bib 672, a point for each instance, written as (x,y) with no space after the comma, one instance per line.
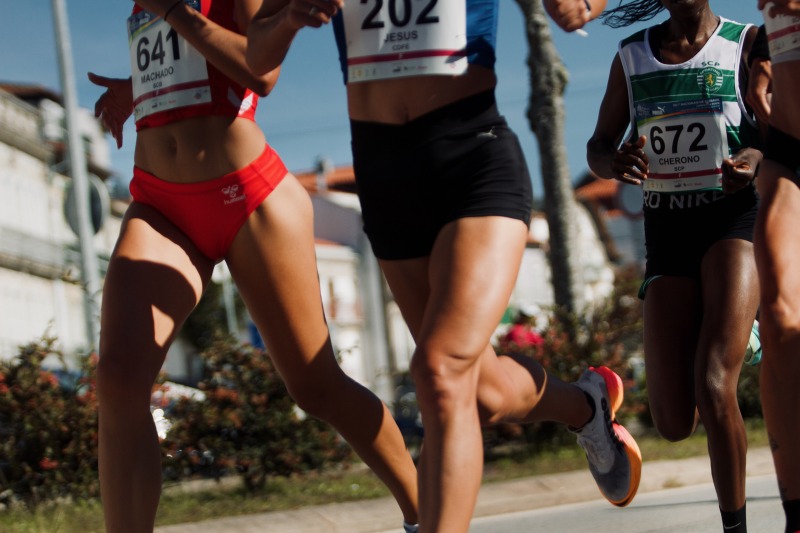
(677,87)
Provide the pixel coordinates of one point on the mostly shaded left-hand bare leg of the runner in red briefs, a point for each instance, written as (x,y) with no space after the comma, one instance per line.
(154,280)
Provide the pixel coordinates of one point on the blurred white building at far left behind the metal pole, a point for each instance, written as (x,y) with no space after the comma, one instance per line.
(40,289)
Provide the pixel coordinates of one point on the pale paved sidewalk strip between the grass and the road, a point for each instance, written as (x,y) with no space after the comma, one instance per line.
(382,515)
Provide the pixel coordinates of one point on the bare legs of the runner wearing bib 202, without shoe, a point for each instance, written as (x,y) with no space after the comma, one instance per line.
(452,302)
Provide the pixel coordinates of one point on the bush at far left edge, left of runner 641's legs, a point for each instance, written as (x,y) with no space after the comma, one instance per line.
(48,429)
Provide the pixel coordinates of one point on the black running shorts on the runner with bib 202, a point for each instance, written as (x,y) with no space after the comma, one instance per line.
(458,161)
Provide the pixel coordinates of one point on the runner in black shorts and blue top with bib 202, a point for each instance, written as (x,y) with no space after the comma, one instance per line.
(446,200)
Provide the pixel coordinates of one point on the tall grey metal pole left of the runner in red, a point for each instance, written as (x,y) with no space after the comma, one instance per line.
(77,162)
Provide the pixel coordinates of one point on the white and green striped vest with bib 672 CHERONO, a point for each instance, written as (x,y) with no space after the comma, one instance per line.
(693,113)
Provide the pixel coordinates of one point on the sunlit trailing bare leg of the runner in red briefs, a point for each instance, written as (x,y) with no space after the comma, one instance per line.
(273,262)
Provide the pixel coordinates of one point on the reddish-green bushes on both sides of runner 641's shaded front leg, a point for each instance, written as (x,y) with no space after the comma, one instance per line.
(248,425)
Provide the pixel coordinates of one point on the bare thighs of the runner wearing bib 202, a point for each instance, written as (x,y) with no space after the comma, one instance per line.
(456,297)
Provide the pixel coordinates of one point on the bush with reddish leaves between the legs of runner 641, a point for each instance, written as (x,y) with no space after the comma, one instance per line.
(248,423)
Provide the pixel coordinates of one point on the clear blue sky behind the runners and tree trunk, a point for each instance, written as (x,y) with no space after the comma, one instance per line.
(305,117)
